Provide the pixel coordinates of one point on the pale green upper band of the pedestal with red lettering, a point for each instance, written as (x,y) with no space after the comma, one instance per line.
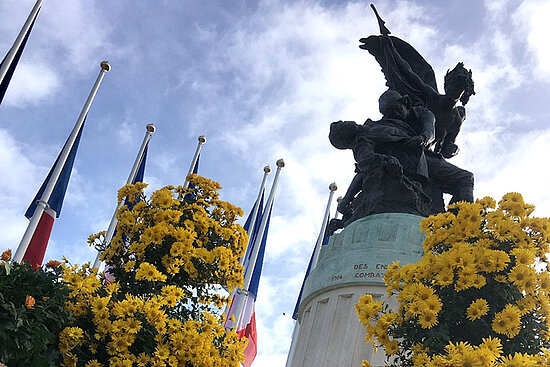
(361,253)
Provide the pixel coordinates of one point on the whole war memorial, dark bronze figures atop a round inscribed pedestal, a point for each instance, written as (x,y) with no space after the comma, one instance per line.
(402,173)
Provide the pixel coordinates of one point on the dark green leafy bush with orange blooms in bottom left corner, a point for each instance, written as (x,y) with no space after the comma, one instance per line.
(29,333)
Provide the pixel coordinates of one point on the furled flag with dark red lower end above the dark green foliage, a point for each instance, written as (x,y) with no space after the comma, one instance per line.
(39,240)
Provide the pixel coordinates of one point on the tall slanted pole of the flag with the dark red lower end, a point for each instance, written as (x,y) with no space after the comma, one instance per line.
(43,202)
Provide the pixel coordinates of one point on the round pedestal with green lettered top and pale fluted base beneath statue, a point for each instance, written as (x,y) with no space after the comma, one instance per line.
(350,265)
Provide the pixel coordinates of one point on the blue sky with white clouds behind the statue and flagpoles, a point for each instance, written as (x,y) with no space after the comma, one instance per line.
(262,80)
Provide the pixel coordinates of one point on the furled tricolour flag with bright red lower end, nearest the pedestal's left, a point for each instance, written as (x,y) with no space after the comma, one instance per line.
(246,323)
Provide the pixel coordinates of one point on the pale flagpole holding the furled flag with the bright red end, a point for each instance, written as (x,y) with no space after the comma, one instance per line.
(256,247)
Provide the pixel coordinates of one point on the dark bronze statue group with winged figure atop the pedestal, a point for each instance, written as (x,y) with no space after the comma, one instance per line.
(400,159)
